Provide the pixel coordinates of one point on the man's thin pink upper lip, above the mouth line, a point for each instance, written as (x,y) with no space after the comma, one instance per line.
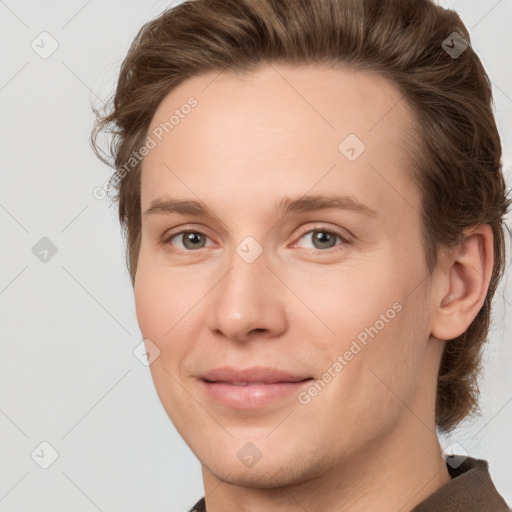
(261,374)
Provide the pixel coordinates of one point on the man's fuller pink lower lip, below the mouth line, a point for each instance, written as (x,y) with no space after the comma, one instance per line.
(251,396)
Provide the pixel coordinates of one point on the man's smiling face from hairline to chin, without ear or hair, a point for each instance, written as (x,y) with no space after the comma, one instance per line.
(337,298)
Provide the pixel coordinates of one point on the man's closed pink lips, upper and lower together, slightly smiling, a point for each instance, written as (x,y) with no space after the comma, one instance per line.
(250,388)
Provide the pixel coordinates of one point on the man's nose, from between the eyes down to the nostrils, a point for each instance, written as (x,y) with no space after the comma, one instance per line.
(248,302)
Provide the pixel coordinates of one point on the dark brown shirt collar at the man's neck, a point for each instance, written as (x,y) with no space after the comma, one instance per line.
(470,490)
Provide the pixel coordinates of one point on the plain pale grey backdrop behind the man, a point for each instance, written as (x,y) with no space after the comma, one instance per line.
(68,375)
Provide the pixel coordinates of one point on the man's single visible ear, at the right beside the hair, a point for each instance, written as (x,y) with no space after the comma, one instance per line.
(462,283)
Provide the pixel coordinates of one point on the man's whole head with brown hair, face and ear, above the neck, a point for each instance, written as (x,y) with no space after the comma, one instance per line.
(287,100)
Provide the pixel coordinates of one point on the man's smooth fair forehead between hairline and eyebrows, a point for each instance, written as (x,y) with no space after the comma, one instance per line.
(281,124)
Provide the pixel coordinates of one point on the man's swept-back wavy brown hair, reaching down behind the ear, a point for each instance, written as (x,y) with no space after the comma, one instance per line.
(456,158)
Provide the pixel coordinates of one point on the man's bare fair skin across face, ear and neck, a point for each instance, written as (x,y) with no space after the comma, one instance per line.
(367,441)
